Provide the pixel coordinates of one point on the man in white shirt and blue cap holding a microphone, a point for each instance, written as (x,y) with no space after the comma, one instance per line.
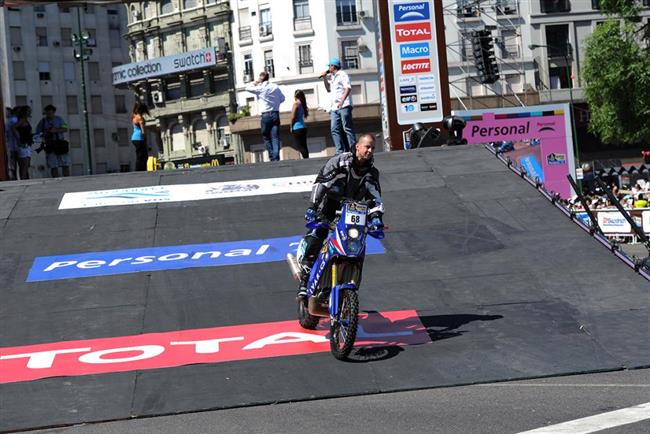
(337,83)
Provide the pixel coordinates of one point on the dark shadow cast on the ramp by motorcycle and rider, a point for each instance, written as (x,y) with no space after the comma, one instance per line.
(381,338)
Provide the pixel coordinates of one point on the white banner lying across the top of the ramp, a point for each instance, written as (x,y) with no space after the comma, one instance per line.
(187,192)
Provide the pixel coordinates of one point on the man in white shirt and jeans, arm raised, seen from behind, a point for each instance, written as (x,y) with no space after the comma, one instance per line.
(269,98)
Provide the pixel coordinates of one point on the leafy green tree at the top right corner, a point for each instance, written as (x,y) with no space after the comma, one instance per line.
(617,75)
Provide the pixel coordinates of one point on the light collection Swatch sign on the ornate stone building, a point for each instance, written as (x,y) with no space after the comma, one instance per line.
(164,65)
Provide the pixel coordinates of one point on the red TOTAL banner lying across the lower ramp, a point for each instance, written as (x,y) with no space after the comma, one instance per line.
(210,345)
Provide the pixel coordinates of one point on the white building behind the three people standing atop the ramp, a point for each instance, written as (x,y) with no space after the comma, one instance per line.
(293,41)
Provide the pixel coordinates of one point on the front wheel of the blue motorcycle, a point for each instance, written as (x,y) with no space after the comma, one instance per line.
(343,331)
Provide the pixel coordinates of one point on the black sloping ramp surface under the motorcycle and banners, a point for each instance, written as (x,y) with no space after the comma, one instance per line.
(506,286)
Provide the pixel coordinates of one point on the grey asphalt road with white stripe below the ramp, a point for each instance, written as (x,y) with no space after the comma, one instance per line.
(508,407)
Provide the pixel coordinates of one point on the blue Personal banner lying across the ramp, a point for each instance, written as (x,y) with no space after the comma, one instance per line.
(169,258)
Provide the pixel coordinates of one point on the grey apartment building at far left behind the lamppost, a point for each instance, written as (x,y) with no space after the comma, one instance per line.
(38,67)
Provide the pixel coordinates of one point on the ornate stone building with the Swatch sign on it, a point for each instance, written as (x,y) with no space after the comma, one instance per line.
(180,55)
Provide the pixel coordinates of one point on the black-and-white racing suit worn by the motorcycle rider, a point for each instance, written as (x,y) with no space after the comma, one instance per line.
(342,177)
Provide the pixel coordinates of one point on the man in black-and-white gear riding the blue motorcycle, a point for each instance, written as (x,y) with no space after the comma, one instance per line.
(350,175)
